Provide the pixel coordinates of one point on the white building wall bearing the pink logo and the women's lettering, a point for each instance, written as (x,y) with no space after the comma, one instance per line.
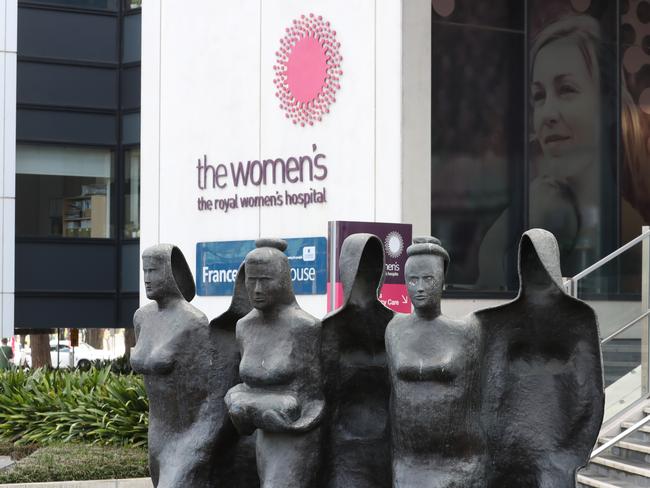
(207,89)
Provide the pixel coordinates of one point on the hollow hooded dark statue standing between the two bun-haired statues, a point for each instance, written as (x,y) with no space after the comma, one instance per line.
(357,447)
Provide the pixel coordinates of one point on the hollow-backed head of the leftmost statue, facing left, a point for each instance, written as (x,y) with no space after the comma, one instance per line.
(166,273)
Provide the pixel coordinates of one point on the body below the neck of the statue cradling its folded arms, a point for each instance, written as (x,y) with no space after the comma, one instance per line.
(280,394)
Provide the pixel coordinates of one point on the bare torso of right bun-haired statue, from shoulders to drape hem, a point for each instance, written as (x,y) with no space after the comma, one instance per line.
(435,384)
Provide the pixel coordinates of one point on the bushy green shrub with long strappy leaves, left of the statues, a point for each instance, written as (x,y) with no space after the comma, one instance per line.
(96,406)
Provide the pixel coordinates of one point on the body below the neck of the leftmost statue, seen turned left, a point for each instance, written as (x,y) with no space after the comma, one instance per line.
(185,421)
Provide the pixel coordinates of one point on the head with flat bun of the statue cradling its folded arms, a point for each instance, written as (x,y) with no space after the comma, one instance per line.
(268,276)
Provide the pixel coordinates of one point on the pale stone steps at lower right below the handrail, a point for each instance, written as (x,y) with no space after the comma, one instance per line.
(627,463)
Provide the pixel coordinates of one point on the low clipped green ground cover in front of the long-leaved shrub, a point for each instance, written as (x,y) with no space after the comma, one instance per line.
(78,462)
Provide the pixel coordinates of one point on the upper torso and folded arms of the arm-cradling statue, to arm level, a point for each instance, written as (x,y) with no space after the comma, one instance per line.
(279,369)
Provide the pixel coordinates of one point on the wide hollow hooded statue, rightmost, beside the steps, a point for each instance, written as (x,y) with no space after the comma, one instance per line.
(543,397)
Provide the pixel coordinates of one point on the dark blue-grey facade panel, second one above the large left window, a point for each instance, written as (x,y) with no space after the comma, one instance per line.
(68,86)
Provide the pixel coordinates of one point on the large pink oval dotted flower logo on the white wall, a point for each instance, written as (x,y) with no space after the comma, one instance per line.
(308,70)
